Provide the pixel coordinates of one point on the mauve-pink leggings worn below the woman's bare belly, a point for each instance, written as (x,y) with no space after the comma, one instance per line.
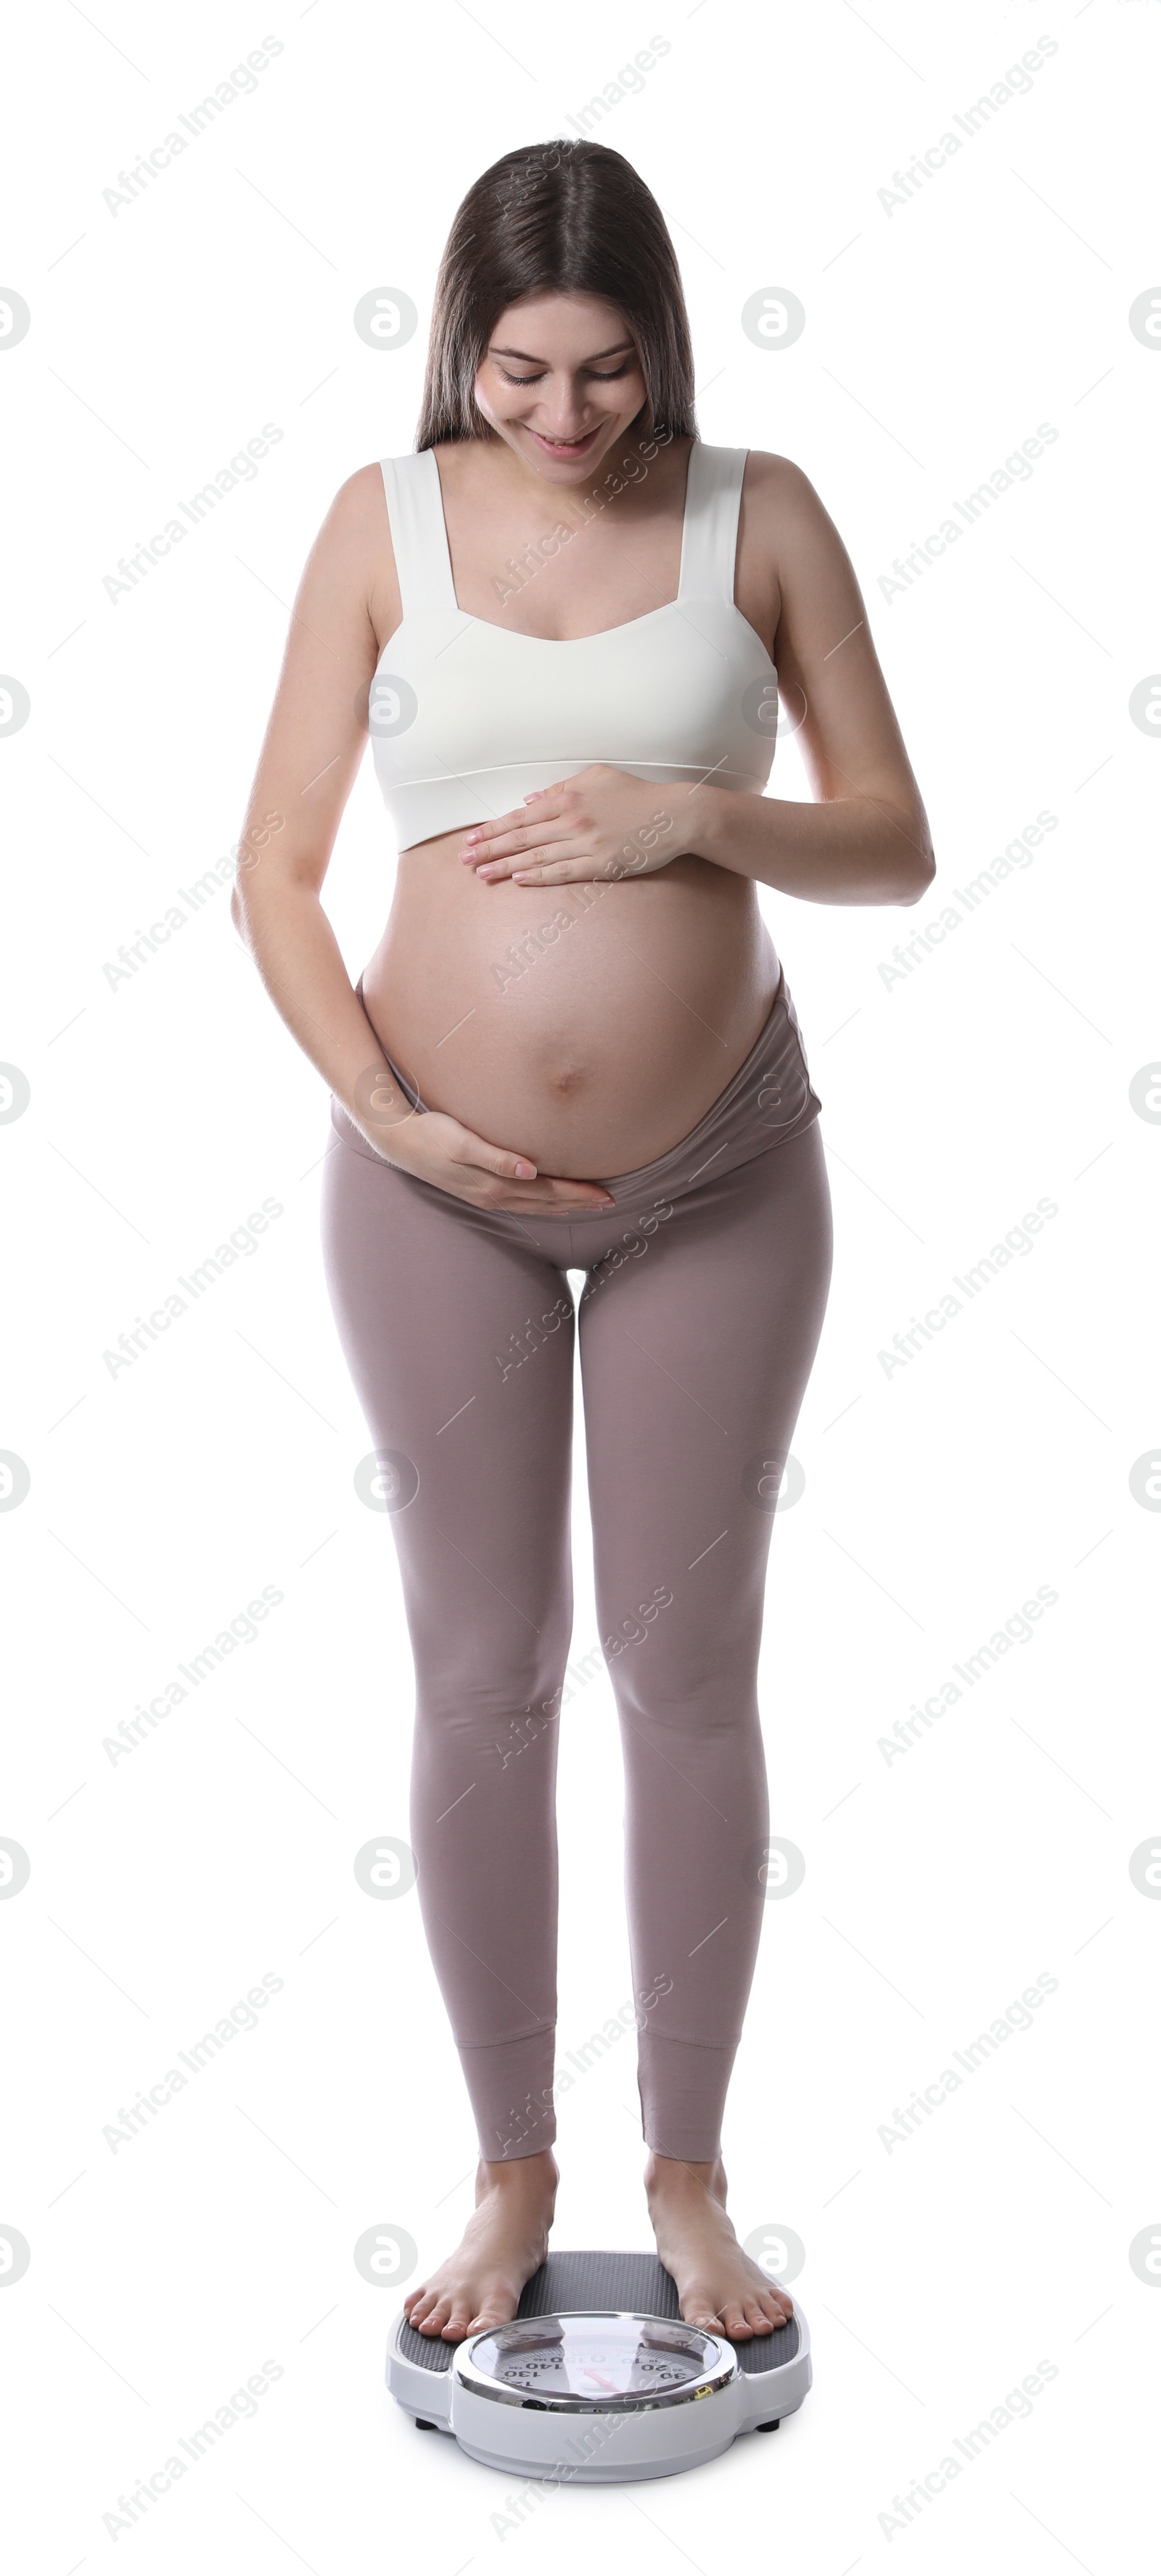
(699,1323)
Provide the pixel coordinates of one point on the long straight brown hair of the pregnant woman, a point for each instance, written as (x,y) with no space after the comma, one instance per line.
(562,218)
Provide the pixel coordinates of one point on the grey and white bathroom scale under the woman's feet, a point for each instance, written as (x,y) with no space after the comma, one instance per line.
(599,2379)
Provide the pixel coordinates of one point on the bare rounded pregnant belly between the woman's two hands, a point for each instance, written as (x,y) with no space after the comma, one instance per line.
(586,1027)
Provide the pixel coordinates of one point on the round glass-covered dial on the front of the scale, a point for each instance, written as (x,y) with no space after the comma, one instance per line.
(599,2361)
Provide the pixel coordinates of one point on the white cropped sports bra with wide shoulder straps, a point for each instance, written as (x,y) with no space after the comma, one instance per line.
(470,717)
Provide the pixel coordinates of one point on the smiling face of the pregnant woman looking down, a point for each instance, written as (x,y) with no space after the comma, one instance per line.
(560,383)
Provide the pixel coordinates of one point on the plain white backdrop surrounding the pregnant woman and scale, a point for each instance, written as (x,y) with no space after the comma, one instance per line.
(998,1073)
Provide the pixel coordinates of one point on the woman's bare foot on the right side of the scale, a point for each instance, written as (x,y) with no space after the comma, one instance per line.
(717,2284)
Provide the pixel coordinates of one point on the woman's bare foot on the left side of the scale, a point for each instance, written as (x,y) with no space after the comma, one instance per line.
(503,2245)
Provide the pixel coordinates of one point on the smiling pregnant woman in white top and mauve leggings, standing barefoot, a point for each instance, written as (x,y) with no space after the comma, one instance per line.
(565,625)
